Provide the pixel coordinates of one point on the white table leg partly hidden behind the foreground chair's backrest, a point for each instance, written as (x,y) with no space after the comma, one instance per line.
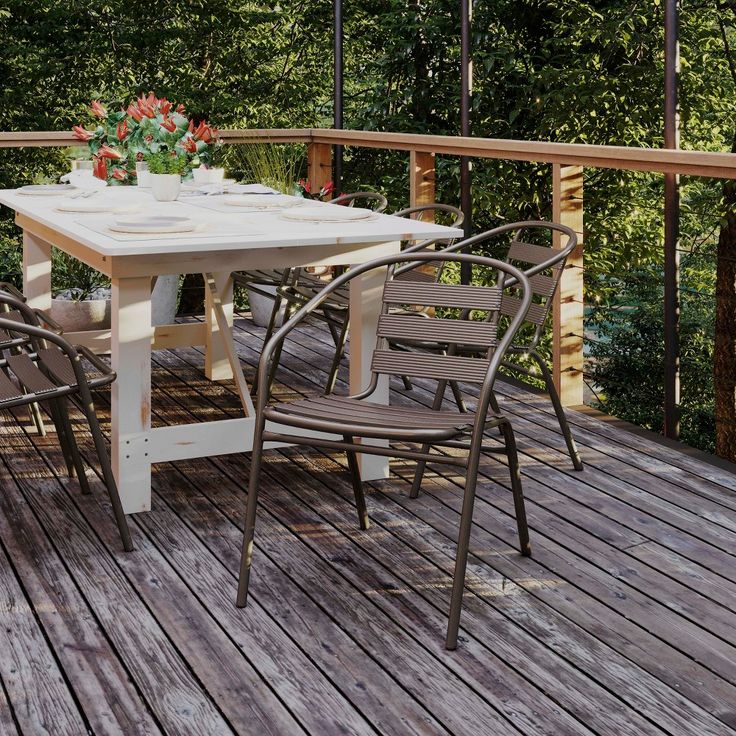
(365,306)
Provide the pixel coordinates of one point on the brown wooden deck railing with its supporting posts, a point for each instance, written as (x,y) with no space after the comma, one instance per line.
(567,160)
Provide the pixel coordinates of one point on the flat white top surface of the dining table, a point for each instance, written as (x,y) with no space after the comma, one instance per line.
(222,229)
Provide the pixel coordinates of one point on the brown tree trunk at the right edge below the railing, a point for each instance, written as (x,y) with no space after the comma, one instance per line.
(724,354)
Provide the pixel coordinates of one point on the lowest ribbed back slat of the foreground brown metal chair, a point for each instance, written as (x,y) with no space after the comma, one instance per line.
(425,365)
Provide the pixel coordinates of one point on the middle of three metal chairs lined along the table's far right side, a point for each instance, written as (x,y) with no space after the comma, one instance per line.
(299,287)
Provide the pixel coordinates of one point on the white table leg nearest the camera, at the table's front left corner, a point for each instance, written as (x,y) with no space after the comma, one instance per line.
(131,392)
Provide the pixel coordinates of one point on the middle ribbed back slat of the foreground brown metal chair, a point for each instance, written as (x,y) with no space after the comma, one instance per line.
(422,329)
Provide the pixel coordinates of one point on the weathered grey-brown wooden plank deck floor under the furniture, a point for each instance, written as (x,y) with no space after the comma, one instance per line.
(623,622)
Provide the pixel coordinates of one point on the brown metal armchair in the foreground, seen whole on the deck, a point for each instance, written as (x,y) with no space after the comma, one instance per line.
(431,428)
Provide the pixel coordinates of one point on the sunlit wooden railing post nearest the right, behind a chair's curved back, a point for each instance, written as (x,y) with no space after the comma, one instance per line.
(567,340)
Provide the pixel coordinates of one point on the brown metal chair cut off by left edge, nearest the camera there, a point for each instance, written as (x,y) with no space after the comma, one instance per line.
(39,366)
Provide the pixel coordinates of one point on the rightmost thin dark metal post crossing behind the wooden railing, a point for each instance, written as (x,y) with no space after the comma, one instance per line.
(671,228)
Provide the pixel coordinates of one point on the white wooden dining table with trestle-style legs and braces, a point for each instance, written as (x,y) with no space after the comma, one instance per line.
(230,241)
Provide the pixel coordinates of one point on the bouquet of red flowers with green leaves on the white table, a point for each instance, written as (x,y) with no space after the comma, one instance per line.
(149,125)
